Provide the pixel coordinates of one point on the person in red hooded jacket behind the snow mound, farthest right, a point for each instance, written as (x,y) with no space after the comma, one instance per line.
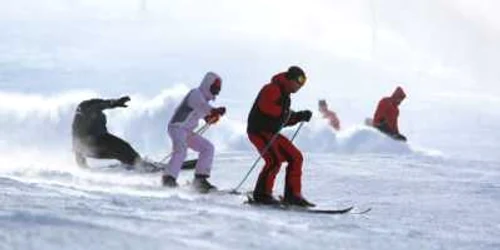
(386,115)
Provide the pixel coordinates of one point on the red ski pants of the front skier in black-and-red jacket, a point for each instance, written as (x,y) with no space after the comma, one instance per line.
(281,150)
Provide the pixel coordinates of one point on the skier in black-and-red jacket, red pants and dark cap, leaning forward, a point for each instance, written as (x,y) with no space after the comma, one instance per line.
(270,113)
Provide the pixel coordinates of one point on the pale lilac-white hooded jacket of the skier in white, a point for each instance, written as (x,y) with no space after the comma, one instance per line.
(195,105)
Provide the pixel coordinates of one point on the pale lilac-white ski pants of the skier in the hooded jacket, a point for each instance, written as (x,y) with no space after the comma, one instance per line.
(183,139)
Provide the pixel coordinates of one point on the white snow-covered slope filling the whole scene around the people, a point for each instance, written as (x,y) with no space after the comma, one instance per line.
(439,191)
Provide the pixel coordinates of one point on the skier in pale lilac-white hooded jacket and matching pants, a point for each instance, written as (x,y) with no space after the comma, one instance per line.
(180,128)
